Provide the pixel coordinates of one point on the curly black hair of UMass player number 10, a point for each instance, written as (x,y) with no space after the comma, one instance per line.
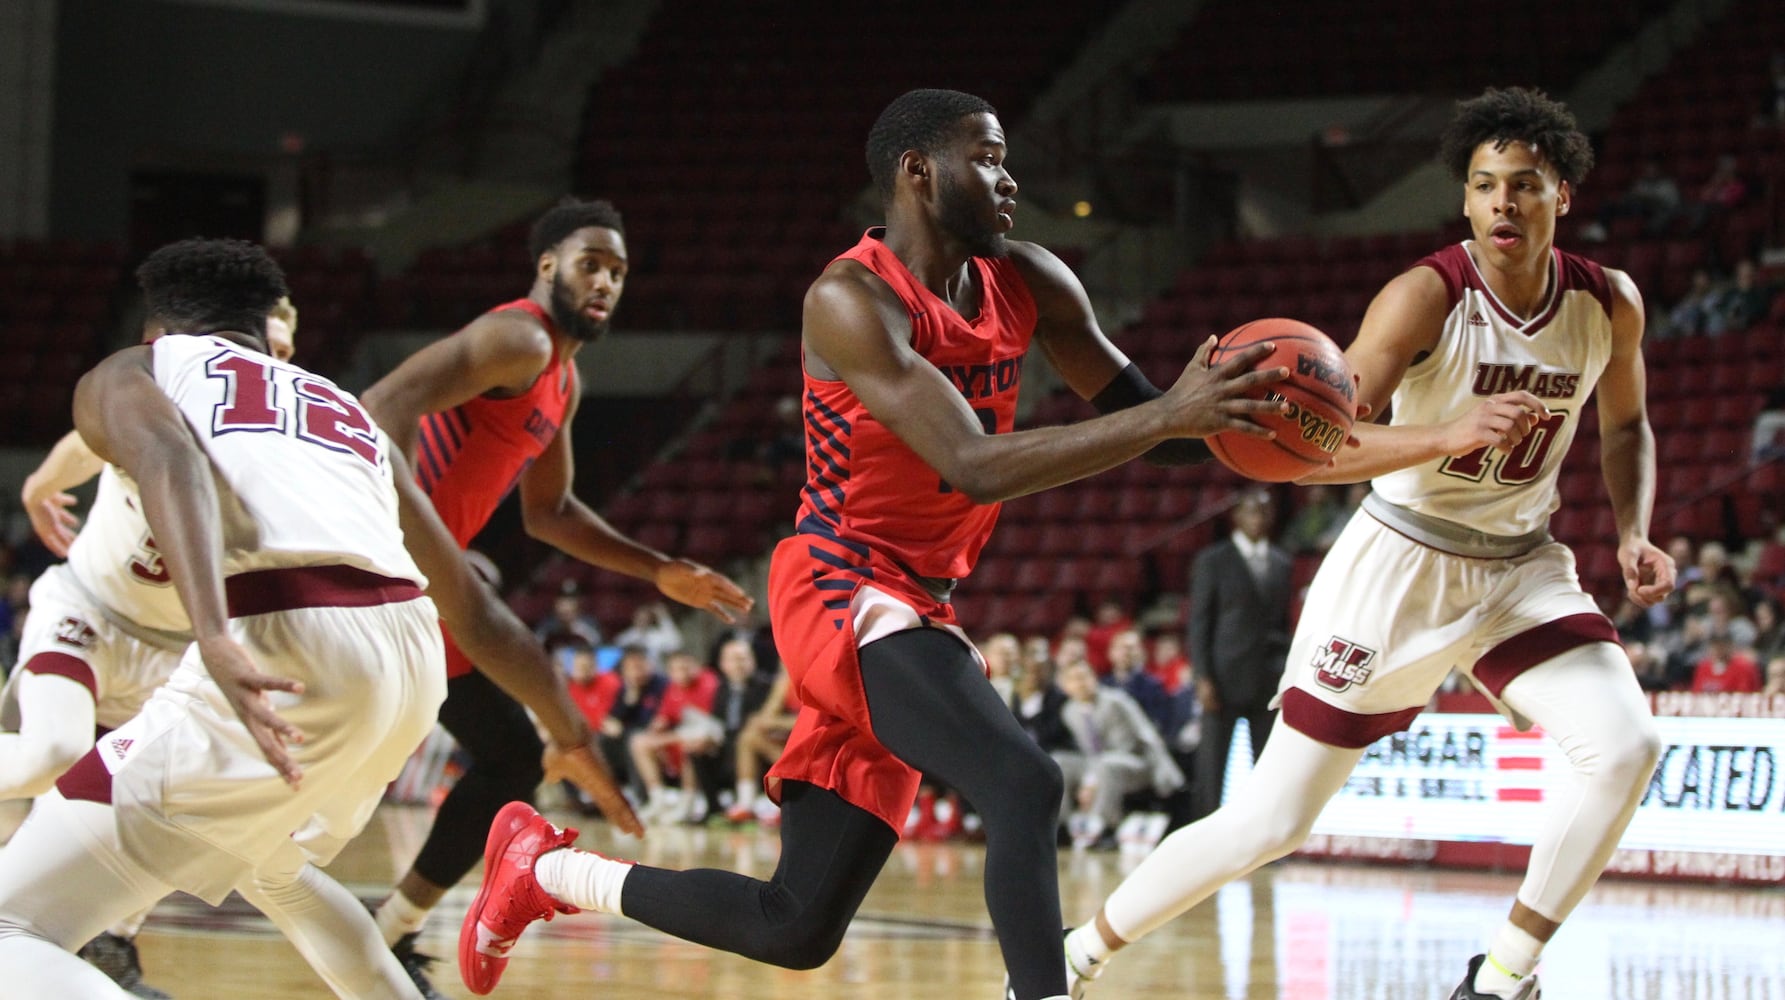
(1516,115)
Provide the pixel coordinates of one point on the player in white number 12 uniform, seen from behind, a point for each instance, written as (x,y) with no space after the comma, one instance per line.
(215,435)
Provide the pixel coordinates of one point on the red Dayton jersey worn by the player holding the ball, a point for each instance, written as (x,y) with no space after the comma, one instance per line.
(865,487)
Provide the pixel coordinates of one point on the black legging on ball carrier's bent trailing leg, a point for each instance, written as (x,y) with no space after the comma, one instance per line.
(831,856)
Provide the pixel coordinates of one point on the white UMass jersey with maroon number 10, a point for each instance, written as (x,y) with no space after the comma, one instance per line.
(1484,351)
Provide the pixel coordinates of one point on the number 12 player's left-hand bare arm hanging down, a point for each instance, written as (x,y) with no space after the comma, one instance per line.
(128,421)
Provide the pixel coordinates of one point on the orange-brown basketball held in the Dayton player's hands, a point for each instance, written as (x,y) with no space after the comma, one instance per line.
(1322,403)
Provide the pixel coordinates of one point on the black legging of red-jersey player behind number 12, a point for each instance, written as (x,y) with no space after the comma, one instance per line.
(504,767)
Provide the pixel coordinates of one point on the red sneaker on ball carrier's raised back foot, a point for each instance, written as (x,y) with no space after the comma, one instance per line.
(511,897)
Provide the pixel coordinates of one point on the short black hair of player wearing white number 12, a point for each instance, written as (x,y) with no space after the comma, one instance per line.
(212,285)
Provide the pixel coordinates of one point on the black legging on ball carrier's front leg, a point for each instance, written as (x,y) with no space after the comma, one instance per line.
(934,710)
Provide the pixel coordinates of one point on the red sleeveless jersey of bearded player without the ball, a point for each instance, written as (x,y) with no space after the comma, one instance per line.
(470,456)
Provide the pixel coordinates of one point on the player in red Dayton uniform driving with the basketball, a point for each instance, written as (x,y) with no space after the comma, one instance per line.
(913,353)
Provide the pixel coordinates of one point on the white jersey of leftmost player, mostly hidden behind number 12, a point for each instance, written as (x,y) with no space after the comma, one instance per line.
(117,563)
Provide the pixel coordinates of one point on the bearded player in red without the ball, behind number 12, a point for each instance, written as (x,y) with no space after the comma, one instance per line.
(481,413)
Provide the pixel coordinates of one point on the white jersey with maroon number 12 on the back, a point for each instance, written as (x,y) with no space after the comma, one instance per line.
(304,476)
